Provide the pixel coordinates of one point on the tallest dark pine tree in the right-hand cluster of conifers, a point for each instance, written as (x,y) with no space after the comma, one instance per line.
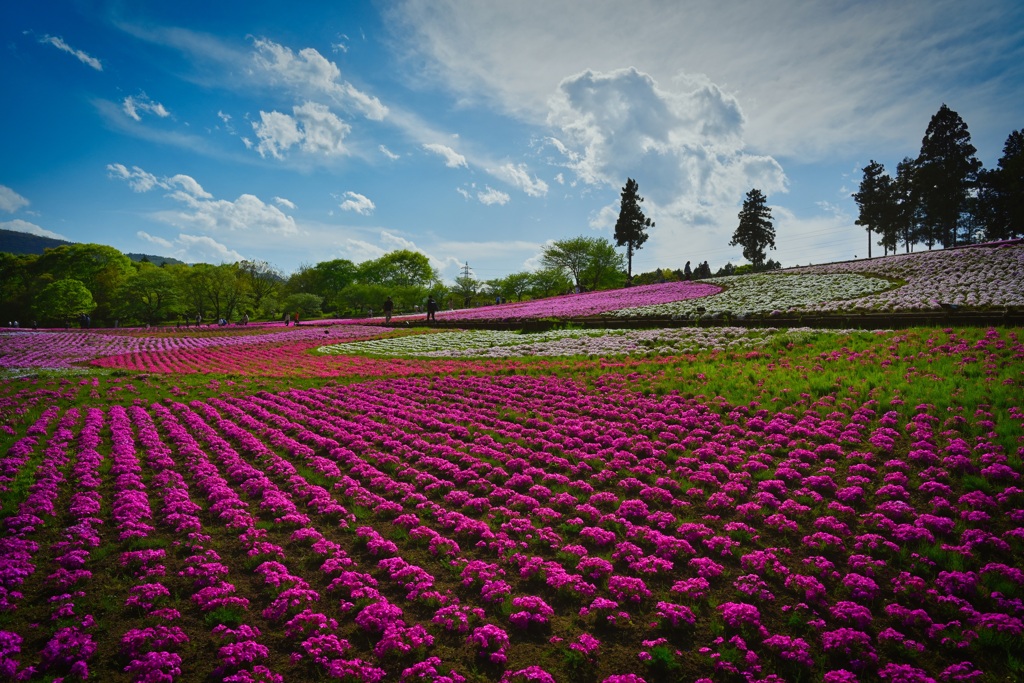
(947,173)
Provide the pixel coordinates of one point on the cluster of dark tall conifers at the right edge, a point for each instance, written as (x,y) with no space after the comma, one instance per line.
(945,197)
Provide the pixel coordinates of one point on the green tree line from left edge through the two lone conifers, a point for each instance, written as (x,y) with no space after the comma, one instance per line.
(91,284)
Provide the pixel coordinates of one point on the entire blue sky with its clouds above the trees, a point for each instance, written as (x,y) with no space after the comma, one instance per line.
(476,132)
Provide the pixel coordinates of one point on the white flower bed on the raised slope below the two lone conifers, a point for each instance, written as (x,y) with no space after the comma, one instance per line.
(767,292)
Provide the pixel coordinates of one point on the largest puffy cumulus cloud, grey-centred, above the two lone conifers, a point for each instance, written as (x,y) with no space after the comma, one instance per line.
(685,146)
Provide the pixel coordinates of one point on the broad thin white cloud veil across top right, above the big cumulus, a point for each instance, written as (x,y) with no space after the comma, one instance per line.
(812,78)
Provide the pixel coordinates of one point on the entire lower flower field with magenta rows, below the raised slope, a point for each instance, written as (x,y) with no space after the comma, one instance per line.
(737,506)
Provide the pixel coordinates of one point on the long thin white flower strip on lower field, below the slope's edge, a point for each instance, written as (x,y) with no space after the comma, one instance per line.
(495,345)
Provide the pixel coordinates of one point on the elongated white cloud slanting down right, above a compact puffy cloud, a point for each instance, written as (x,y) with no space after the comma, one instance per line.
(310,72)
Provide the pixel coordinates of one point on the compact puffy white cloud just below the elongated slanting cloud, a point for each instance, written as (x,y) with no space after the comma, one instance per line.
(314,130)
